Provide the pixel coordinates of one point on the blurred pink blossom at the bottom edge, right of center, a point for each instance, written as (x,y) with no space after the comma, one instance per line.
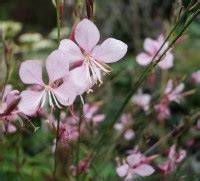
(135,165)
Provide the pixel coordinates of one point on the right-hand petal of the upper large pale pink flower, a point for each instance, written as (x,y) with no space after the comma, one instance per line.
(111,50)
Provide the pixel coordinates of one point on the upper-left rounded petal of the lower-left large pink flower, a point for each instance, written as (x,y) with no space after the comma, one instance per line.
(30,72)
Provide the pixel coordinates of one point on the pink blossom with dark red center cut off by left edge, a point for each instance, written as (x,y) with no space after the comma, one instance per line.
(8,108)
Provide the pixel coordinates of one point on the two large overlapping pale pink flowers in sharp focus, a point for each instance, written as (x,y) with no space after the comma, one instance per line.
(64,83)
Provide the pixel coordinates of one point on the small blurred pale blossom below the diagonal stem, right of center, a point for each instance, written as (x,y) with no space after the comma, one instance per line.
(142,100)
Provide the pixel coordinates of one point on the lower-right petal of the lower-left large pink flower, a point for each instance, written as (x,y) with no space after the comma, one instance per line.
(65,93)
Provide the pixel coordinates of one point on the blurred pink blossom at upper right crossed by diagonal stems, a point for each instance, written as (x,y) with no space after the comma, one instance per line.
(151,47)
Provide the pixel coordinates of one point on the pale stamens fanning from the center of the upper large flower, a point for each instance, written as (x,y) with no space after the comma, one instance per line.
(93,68)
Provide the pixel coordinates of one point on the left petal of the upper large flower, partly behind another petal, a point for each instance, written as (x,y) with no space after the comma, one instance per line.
(71,49)
